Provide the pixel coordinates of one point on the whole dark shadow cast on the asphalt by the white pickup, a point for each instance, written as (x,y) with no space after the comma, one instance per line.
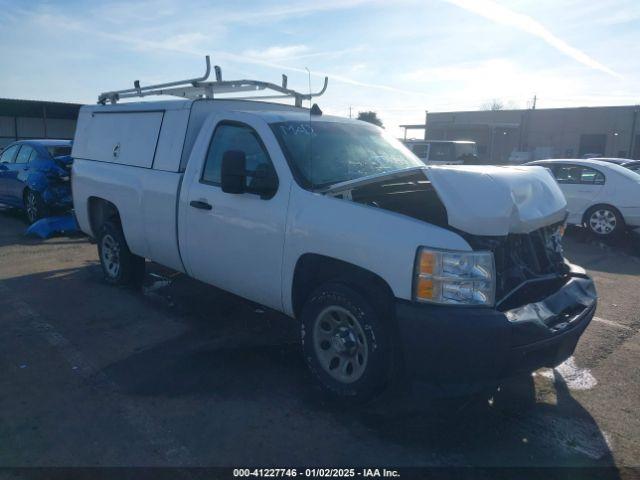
(254,354)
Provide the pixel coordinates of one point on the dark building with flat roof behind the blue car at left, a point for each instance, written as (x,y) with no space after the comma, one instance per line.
(24,119)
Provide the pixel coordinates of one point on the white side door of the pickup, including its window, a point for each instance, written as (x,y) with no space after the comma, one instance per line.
(234,241)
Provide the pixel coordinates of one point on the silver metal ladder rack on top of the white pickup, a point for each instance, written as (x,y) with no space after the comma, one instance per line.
(199,88)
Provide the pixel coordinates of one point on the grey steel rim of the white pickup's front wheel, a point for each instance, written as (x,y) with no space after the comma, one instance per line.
(340,344)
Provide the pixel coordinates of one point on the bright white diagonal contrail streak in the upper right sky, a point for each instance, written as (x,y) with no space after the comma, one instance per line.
(505,16)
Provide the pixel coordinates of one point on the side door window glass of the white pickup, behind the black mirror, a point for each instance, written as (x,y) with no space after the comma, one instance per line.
(234,136)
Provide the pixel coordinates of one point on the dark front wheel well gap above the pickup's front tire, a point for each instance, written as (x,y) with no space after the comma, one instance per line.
(313,270)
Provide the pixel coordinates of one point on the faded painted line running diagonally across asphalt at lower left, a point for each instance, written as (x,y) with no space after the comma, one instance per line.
(173,452)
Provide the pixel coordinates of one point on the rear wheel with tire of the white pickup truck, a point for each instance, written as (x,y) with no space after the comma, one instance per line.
(119,265)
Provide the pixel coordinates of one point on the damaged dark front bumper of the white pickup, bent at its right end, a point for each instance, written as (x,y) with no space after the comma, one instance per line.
(456,346)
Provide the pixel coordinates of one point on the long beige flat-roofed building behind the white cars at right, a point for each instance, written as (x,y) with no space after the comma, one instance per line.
(540,133)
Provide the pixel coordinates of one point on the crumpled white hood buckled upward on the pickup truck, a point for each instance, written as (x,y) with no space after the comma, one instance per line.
(494,200)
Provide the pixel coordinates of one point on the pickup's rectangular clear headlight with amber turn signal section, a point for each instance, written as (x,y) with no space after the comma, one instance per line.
(454,278)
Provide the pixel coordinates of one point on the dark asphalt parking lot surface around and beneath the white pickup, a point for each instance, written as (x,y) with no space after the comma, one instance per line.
(184,374)
